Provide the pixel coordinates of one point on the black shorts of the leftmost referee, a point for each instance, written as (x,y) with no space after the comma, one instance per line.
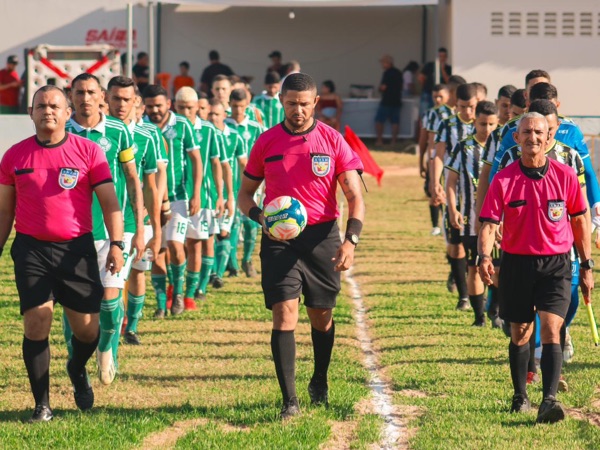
(67,270)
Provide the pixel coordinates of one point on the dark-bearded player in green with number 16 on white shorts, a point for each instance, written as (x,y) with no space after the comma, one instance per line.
(182,150)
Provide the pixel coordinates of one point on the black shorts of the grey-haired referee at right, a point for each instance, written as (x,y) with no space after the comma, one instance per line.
(530,283)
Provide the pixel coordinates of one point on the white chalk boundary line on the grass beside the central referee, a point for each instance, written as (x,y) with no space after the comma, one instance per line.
(382,398)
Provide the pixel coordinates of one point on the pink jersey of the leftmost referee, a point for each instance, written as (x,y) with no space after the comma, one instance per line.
(54,186)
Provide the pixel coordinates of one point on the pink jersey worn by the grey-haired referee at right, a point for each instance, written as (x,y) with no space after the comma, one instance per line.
(535,211)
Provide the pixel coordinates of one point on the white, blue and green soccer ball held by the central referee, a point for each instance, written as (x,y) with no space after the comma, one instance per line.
(285,217)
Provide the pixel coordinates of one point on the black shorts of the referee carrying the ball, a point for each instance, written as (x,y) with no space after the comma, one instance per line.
(302,266)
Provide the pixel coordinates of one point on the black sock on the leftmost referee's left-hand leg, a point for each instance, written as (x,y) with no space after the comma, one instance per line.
(36,355)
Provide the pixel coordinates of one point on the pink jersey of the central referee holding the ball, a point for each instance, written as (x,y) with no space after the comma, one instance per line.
(304,166)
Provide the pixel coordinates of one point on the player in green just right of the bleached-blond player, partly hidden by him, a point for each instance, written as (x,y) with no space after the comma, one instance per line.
(233,150)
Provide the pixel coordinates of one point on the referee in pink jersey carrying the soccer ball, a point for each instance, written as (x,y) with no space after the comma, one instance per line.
(306,159)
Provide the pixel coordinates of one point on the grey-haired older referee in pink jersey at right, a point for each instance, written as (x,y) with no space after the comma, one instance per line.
(544,213)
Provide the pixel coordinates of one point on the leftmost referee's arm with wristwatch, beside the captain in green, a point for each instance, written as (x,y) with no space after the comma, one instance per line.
(113,219)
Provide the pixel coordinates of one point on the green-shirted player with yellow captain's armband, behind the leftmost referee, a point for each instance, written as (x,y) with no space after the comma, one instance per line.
(114,138)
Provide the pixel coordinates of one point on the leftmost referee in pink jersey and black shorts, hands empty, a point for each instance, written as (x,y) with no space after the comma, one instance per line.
(46,187)
